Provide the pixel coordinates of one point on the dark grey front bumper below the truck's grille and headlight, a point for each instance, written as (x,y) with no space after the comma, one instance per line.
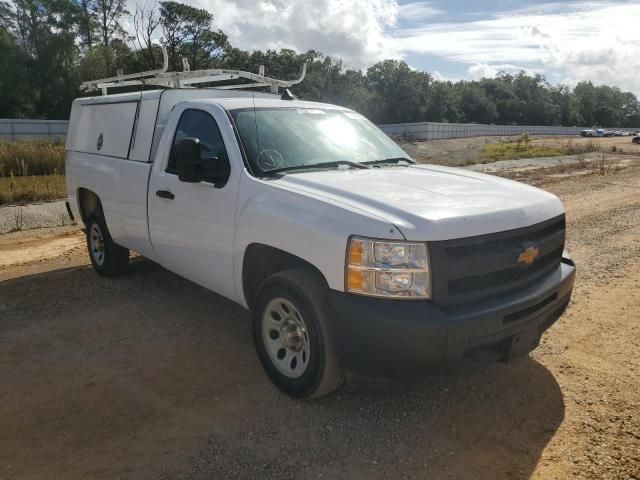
(396,338)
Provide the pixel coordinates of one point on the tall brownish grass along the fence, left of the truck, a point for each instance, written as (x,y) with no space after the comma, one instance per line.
(24,158)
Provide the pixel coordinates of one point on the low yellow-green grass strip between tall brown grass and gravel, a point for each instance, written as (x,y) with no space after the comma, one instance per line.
(17,190)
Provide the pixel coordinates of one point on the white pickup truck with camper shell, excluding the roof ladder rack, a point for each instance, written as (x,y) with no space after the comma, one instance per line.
(350,256)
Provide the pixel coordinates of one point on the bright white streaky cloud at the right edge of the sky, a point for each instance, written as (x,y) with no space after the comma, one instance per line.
(595,41)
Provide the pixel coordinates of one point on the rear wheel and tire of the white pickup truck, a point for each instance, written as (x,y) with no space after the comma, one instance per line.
(108,258)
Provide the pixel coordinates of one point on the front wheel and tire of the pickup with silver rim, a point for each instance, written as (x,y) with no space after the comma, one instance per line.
(299,298)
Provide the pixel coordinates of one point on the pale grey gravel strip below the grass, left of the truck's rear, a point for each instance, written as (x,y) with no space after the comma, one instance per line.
(41,215)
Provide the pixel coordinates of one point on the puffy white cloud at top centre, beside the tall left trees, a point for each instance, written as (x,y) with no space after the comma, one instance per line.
(355,30)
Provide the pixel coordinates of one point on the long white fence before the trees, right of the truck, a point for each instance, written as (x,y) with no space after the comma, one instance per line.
(435,131)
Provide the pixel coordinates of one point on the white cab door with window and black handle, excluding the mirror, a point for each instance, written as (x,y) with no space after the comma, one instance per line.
(191,225)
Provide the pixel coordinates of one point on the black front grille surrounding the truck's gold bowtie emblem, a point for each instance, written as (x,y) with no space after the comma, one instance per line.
(484,266)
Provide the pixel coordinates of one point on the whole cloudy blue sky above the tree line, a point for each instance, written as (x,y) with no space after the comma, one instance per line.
(567,41)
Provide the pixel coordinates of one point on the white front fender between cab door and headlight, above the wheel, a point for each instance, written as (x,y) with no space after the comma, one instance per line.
(306,225)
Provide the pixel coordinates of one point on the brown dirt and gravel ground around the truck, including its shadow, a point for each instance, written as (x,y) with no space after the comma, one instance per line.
(150,376)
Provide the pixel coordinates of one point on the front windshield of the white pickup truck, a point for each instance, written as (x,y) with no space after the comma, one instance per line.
(281,138)
